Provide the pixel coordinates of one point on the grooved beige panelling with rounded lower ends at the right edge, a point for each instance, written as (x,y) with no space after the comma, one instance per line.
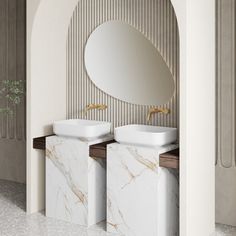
(226,83)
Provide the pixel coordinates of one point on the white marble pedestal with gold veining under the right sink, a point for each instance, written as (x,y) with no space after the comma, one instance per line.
(142,198)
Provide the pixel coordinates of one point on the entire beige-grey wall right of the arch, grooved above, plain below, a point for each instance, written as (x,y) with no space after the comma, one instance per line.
(226,159)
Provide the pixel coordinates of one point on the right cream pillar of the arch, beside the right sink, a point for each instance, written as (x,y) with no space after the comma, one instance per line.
(196,21)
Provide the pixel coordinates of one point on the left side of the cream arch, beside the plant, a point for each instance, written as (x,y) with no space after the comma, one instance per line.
(47,26)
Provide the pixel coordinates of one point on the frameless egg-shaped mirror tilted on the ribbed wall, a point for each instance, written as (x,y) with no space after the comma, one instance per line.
(123,63)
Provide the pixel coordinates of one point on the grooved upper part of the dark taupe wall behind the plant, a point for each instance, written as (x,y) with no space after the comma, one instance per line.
(13,62)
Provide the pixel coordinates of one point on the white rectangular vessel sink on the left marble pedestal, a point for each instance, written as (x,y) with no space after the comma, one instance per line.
(78,128)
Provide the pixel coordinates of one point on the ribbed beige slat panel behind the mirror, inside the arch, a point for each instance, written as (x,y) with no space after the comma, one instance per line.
(156,20)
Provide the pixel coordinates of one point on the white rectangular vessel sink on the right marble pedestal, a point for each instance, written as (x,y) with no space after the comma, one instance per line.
(145,135)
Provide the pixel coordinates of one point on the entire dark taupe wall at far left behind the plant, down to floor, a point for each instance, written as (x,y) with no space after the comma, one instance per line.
(13,67)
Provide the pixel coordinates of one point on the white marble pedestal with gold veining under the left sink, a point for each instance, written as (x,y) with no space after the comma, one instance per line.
(75,183)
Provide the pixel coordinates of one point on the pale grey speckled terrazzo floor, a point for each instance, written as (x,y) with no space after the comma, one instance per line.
(15,222)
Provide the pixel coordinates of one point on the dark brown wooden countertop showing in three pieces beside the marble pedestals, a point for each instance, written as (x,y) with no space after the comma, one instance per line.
(167,160)
